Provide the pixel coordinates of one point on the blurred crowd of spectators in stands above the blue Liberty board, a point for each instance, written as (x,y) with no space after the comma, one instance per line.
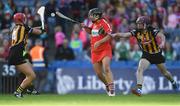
(67,41)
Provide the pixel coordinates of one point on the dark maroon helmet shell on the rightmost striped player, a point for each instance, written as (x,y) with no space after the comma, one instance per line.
(143,20)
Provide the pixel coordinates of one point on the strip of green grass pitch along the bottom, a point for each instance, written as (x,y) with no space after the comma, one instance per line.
(91,100)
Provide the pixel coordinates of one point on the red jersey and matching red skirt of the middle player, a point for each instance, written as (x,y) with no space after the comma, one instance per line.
(105,48)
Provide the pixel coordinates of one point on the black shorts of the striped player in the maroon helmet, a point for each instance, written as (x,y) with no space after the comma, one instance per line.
(157,58)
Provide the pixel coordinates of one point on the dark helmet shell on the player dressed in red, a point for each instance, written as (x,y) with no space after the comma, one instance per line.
(95,12)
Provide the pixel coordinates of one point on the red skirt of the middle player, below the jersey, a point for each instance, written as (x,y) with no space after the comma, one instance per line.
(98,56)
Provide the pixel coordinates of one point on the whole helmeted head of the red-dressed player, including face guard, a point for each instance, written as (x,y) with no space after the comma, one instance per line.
(95,14)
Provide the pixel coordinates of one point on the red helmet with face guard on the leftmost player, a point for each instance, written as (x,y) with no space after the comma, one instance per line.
(19,18)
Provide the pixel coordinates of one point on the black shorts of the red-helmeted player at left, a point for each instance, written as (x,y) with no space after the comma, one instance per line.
(16,55)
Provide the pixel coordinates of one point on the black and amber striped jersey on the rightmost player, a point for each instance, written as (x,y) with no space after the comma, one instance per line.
(147,40)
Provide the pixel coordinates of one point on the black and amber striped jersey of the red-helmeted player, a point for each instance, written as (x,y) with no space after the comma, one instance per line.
(20,34)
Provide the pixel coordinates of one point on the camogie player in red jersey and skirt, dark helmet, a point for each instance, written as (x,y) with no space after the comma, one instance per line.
(101,50)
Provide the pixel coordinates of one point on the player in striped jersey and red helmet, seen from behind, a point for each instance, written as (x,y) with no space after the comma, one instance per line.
(17,53)
